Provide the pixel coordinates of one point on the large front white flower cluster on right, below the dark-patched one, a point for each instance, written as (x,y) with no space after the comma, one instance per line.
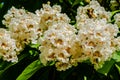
(97,38)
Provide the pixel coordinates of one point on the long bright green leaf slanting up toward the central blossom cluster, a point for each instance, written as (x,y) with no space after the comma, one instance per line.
(30,70)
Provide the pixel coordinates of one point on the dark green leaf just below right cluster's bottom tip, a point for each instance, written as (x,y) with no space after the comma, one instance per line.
(106,67)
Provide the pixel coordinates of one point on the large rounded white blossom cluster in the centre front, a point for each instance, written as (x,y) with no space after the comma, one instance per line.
(56,43)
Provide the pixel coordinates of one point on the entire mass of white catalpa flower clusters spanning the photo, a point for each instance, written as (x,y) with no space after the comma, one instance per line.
(92,38)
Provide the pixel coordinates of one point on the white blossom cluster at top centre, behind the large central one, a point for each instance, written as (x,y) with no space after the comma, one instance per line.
(50,15)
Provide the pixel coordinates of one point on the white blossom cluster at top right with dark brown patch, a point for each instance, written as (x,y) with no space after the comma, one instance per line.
(92,11)
